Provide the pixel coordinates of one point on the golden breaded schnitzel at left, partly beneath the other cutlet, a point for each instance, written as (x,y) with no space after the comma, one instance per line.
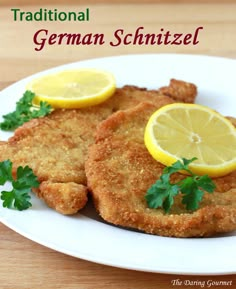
(55,147)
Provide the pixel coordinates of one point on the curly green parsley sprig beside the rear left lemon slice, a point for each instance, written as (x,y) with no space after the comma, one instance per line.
(24,111)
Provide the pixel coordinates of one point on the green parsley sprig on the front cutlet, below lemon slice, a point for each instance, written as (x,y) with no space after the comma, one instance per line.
(192,188)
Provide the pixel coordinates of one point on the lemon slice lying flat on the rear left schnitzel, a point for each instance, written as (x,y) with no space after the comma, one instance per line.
(73,88)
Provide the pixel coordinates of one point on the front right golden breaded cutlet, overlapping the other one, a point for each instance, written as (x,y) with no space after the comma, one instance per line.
(120,170)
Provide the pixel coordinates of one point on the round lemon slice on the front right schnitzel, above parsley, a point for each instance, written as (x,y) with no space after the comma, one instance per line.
(190,130)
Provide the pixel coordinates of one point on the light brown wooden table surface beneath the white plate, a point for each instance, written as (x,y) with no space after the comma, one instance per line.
(25,264)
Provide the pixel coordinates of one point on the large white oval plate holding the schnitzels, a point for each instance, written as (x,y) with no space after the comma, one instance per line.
(85,235)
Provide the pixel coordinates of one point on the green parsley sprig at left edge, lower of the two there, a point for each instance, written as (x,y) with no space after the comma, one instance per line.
(19,197)
